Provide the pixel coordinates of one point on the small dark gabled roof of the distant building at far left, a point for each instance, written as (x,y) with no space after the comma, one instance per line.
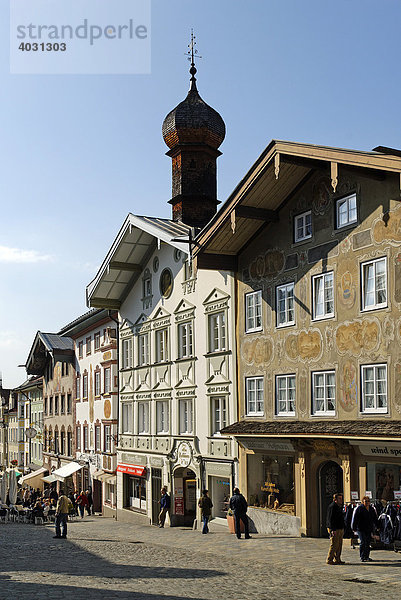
(45,344)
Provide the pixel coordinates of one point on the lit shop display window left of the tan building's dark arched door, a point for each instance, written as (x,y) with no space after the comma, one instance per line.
(271,482)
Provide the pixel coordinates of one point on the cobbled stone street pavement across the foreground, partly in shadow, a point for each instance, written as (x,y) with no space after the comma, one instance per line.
(106,559)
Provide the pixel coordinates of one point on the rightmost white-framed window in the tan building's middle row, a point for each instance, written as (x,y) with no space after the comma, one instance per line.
(374,284)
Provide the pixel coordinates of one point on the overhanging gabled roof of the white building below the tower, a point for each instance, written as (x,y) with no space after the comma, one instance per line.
(128,255)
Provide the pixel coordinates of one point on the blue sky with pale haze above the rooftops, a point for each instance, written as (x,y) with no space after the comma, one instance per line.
(79,152)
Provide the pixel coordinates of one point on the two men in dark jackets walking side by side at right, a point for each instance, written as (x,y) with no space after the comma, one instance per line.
(364,522)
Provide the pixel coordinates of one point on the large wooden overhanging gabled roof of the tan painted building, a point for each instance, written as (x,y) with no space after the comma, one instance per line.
(276,175)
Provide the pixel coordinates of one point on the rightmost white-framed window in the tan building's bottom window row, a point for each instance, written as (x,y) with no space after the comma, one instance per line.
(374,388)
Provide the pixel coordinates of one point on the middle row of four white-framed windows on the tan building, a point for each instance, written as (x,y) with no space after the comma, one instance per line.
(373,296)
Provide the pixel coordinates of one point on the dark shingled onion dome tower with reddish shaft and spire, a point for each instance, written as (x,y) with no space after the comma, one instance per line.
(193,131)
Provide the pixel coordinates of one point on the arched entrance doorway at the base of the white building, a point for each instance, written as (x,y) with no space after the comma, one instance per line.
(184,509)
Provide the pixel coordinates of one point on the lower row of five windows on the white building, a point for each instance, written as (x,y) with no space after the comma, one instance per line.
(218,416)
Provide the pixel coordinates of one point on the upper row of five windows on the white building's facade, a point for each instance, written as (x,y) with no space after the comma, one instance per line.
(217,341)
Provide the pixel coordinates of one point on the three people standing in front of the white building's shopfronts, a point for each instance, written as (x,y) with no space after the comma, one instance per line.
(238,505)
